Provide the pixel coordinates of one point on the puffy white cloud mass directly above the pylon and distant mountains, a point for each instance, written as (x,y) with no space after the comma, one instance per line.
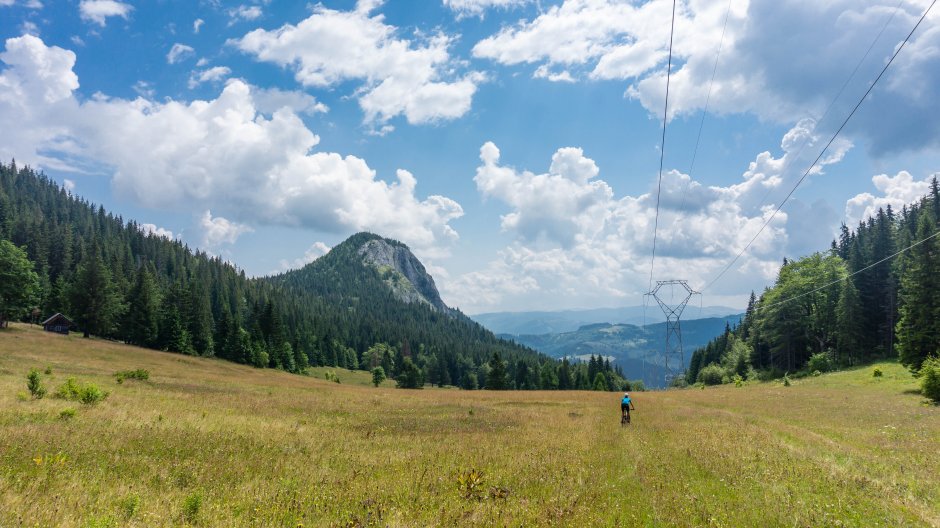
(574,239)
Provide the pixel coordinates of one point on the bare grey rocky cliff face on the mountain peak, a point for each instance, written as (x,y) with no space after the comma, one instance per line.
(403,272)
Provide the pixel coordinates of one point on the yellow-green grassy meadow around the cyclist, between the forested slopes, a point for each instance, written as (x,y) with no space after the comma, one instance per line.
(209,443)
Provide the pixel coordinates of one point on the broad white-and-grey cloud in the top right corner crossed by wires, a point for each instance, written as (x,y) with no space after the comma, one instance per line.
(781,60)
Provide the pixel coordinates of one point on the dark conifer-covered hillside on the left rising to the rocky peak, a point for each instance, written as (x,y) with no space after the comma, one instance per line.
(118,280)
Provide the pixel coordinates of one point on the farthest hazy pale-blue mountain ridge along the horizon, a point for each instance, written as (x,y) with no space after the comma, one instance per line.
(518,323)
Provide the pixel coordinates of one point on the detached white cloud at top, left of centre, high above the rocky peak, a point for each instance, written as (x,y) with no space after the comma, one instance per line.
(398,76)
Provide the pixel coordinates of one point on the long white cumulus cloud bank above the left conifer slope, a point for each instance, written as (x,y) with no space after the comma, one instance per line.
(245,155)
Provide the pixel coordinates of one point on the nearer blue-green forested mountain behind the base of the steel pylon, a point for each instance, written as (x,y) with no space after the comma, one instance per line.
(636,349)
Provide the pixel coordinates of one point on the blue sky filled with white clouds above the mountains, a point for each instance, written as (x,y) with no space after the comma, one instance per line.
(514,145)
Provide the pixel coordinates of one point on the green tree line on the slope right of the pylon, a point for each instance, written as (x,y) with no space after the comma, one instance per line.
(848,305)
